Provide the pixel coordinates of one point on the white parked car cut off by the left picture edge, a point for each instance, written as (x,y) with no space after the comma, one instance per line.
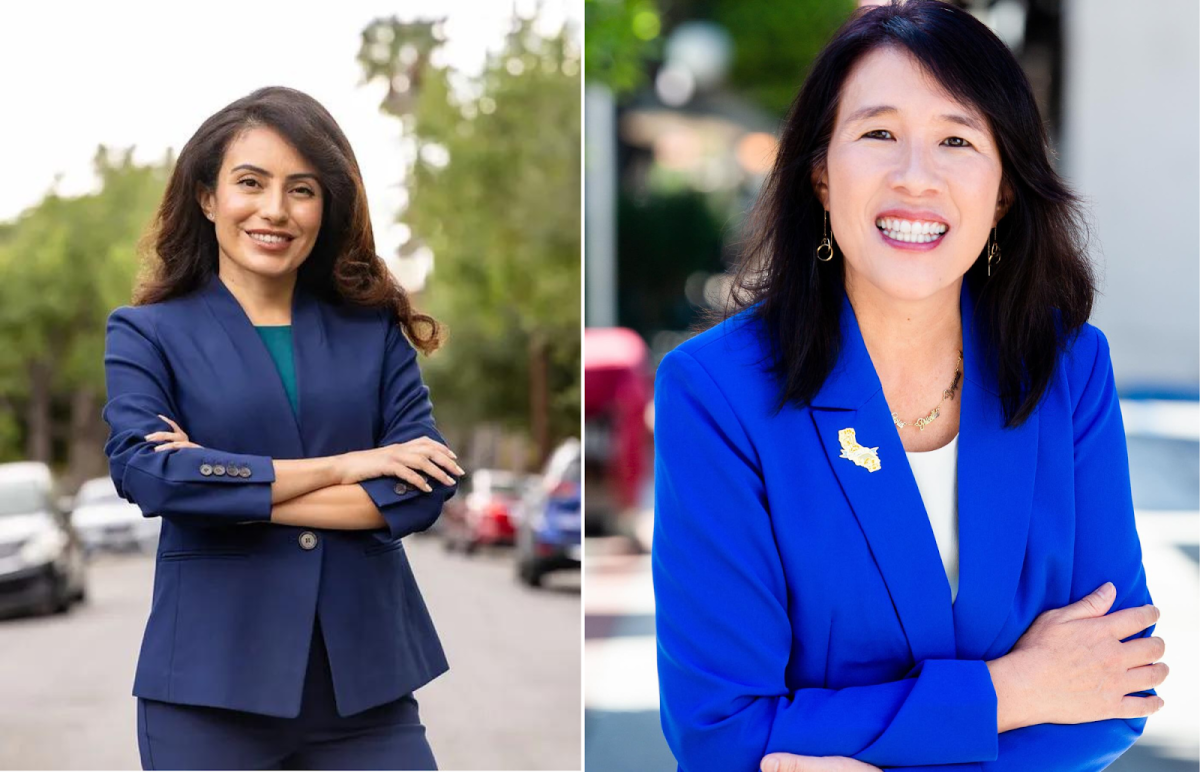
(41,556)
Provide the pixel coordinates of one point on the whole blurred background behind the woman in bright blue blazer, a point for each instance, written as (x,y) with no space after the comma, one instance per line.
(683,100)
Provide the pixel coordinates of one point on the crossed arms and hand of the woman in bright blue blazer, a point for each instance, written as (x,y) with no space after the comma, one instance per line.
(725,705)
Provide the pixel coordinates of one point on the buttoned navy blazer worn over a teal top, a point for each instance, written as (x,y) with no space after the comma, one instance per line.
(236,596)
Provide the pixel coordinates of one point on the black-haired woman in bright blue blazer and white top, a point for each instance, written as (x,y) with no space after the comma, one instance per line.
(895,525)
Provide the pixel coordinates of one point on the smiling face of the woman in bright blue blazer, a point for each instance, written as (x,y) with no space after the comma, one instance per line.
(913,181)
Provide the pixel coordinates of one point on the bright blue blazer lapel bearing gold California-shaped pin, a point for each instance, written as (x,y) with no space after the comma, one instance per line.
(887,502)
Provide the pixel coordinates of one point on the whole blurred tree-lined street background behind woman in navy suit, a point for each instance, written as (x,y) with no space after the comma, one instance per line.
(466,122)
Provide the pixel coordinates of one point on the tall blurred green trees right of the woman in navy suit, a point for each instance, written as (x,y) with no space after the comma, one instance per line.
(494,190)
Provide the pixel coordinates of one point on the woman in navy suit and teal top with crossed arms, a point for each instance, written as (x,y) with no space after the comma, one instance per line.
(266,403)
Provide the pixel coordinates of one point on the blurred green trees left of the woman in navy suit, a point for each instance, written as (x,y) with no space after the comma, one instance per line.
(65,265)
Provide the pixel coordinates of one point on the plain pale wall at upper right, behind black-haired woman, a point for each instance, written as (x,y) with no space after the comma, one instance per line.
(1131,146)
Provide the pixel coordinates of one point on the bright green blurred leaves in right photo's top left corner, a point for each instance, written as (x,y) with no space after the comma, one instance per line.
(622,35)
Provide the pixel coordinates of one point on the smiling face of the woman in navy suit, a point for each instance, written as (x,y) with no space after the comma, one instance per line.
(267,206)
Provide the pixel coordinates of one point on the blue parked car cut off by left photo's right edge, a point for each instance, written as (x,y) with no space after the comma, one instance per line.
(549,530)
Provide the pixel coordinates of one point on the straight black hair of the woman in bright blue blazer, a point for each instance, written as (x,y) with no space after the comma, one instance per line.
(1042,291)
